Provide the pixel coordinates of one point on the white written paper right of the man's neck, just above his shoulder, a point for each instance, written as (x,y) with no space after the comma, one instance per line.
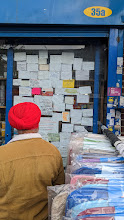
(47,125)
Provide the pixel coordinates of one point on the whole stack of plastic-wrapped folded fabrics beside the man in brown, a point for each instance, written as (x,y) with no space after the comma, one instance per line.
(94,188)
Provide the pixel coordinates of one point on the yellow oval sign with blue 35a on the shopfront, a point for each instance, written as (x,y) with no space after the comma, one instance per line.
(97,12)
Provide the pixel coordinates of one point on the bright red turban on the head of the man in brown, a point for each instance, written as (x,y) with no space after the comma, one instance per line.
(24,116)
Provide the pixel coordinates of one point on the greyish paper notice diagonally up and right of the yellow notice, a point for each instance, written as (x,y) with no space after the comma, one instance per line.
(82,74)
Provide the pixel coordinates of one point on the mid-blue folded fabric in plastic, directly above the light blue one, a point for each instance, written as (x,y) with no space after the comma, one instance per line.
(94,192)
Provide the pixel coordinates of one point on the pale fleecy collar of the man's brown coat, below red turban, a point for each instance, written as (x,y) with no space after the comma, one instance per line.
(25,136)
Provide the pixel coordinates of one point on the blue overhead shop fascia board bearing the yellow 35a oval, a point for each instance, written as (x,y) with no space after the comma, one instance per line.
(72,12)
